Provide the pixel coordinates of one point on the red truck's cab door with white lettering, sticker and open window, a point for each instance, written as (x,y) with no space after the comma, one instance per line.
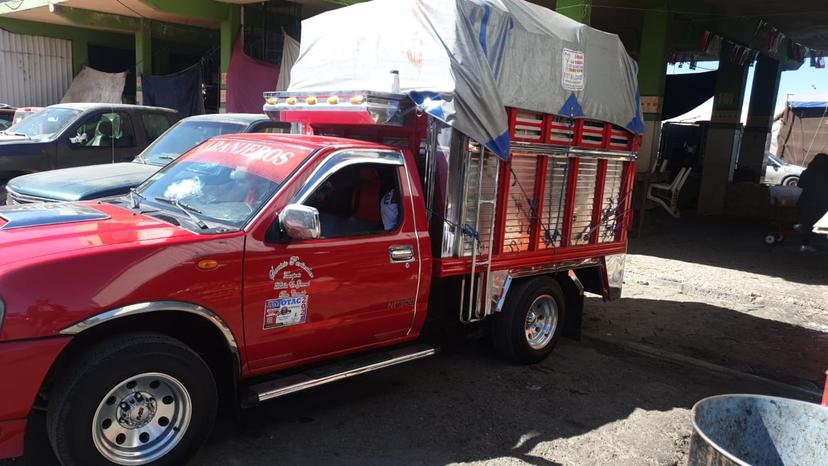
(355,286)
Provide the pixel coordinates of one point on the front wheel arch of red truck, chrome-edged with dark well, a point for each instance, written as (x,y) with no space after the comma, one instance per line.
(199,328)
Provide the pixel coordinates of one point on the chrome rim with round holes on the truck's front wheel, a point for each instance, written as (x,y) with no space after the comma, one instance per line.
(141,419)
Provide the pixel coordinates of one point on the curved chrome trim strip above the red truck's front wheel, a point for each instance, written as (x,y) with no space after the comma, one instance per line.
(159,306)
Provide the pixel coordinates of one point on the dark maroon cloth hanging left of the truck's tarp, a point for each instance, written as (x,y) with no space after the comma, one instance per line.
(247,79)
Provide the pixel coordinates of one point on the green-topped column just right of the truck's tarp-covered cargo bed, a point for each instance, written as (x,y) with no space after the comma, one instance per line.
(652,75)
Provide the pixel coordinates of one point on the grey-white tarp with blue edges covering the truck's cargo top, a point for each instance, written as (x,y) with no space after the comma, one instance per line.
(463,61)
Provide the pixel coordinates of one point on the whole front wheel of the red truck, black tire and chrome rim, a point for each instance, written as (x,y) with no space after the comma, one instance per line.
(140,399)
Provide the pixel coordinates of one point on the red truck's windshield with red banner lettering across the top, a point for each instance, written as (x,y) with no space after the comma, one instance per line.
(223,181)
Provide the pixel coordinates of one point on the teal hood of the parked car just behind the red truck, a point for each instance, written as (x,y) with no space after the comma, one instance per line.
(83,183)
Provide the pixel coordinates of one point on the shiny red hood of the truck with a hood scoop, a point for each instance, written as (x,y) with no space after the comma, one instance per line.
(36,230)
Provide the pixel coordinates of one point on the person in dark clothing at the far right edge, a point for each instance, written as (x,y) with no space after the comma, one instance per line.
(813,202)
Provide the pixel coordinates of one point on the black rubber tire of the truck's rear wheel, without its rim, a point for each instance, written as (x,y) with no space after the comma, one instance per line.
(509,326)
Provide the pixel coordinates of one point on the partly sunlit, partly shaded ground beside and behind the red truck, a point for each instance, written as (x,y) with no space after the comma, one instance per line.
(706,310)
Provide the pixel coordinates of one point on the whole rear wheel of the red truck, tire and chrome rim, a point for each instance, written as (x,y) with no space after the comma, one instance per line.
(531,322)
